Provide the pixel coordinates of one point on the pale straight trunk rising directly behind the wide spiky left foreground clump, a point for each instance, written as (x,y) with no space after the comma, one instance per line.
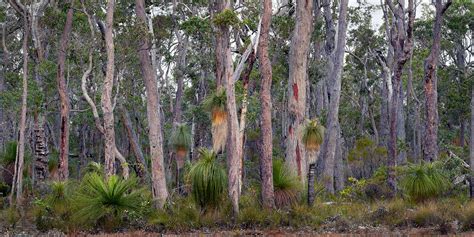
(107,107)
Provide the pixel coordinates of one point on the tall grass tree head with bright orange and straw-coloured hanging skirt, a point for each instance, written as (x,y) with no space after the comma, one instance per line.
(216,104)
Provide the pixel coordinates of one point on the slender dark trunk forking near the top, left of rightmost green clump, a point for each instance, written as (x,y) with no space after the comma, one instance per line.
(402,43)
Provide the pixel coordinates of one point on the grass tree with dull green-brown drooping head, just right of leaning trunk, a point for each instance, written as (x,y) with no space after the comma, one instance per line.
(180,143)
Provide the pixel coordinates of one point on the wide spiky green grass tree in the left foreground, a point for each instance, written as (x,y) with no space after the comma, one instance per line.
(107,201)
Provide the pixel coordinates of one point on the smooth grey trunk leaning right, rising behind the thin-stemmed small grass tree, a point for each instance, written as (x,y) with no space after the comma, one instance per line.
(331,135)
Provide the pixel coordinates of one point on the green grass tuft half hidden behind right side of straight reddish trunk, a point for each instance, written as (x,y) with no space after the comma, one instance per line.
(286,185)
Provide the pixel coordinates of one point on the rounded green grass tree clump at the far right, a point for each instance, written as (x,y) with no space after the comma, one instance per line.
(424,181)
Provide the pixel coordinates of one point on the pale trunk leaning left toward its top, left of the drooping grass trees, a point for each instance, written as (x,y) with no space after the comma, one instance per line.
(159,189)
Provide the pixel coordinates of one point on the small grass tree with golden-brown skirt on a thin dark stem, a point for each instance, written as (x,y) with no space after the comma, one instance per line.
(313,137)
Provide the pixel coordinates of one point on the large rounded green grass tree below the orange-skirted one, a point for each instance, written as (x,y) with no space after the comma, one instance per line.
(208,180)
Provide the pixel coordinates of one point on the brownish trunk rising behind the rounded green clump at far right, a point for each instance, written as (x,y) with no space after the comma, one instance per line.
(430,151)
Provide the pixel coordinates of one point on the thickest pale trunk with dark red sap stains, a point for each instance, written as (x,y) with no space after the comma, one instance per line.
(298,60)
